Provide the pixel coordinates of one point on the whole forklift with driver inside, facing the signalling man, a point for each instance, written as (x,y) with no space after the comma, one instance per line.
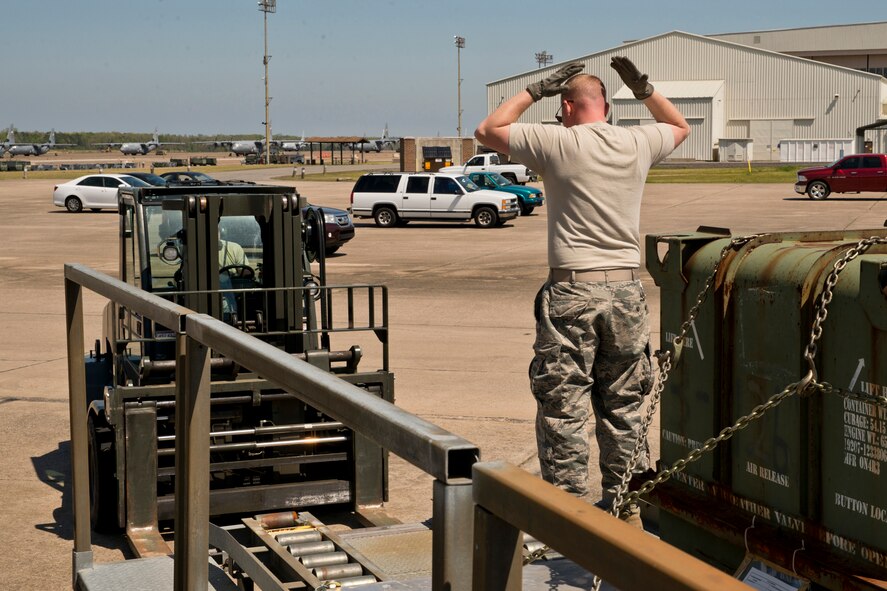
(253,257)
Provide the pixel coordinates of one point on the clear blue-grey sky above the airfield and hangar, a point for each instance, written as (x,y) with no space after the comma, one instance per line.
(339,67)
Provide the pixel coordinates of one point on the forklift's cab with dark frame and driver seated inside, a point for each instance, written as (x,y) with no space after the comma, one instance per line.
(240,254)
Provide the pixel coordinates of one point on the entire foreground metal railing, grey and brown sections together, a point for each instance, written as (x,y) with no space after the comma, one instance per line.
(476,506)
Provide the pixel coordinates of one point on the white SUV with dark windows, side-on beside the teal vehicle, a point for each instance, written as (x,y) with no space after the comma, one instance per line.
(397,198)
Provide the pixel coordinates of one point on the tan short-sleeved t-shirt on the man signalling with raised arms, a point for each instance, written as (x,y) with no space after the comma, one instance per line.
(594,178)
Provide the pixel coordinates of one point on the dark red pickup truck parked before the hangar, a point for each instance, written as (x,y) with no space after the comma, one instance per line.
(851,174)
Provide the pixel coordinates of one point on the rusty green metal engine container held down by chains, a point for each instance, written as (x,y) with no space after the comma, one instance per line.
(808,469)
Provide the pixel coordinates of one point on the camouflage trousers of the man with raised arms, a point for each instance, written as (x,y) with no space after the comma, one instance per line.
(592,346)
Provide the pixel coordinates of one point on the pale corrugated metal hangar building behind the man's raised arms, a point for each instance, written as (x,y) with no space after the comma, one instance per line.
(752,101)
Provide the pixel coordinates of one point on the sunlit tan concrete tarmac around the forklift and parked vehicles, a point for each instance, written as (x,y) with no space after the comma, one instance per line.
(461,333)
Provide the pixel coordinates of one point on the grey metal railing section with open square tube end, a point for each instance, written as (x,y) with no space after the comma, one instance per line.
(434,450)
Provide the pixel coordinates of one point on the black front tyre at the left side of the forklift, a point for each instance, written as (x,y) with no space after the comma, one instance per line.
(102,484)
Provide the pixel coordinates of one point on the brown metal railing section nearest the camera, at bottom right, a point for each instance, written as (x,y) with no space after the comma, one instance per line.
(510,500)
